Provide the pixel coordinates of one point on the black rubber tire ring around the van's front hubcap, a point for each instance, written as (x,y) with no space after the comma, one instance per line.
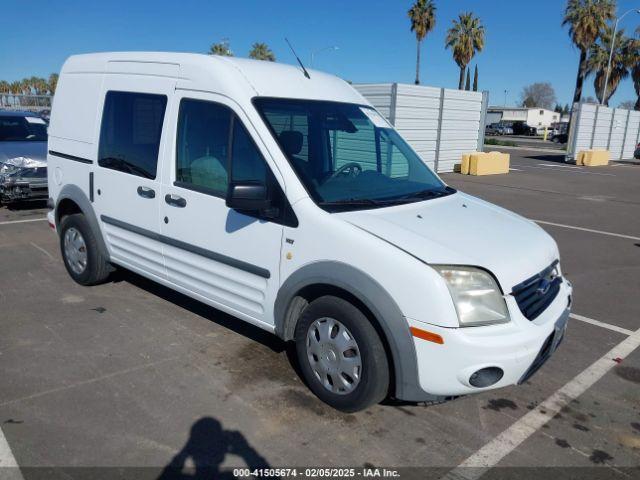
(373,385)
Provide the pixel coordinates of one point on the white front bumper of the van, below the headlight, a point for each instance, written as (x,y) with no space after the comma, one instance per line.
(518,348)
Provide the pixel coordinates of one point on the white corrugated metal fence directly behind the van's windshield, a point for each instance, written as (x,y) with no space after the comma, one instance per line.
(439,123)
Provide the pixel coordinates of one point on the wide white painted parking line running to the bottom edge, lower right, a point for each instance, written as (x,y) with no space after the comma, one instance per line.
(494,451)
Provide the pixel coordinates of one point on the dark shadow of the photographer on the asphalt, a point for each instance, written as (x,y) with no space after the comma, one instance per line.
(205,451)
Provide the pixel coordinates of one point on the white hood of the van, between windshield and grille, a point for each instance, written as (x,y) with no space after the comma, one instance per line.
(463,230)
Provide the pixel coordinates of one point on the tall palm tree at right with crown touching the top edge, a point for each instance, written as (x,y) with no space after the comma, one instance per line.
(586,19)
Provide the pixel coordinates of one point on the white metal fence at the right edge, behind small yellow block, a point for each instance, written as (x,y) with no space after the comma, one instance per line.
(600,127)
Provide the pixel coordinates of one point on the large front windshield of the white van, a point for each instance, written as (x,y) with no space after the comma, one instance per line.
(347,155)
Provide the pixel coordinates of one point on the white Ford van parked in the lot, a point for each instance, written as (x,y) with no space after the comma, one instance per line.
(283,198)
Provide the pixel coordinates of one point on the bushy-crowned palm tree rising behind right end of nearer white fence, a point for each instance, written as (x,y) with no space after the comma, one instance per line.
(465,38)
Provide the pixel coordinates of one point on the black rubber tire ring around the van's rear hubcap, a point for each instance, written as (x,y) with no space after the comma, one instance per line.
(97,268)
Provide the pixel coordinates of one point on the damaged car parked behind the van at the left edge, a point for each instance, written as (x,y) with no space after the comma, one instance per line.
(23,154)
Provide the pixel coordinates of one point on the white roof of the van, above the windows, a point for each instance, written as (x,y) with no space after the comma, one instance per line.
(226,75)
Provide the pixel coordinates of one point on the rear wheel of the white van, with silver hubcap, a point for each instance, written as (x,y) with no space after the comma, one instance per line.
(82,257)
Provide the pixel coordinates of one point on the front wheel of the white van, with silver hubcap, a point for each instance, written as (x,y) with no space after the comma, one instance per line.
(341,355)
